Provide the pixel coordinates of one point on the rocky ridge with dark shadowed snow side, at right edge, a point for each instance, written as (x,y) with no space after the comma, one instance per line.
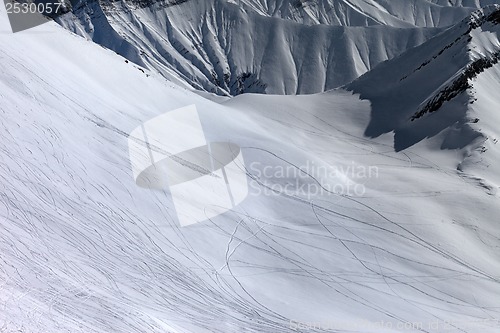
(446,88)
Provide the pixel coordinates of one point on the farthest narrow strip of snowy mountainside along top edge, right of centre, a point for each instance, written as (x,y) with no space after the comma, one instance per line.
(420,13)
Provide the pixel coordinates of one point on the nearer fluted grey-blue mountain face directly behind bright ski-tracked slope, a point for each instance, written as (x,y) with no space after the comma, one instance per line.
(222,48)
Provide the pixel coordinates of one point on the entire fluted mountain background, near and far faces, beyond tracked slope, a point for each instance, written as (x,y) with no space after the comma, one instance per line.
(251,46)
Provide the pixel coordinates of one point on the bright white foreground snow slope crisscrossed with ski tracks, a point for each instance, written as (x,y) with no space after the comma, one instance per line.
(84,249)
